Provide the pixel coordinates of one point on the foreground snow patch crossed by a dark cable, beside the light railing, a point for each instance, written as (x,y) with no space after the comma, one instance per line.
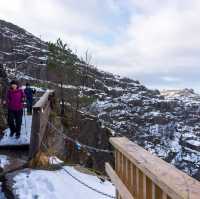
(59,185)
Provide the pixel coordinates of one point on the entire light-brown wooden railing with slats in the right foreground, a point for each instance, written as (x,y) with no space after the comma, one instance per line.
(141,175)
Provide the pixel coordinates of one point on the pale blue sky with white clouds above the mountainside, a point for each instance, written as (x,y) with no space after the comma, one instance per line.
(154,41)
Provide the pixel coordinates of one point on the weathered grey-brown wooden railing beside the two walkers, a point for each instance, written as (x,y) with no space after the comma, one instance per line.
(41,111)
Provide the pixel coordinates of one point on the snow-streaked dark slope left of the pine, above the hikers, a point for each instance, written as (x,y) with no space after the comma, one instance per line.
(23,50)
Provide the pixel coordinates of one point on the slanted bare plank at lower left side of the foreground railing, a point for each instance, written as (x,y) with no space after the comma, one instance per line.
(124,193)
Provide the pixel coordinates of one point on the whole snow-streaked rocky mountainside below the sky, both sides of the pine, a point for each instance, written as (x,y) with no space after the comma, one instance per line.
(165,123)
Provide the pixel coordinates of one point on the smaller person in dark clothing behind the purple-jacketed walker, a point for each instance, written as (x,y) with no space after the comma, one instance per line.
(29,92)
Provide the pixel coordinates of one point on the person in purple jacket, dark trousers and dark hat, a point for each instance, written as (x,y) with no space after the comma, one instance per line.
(15,99)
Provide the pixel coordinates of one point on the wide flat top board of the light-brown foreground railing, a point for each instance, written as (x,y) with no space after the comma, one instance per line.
(172,181)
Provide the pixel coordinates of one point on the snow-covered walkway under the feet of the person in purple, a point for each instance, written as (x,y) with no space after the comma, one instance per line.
(25,133)
